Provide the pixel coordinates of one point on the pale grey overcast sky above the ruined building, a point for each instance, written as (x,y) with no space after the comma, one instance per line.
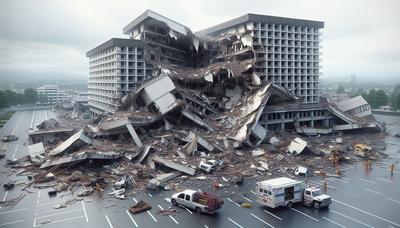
(50,37)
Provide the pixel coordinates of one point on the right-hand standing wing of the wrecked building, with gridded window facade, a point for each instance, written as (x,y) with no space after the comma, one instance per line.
(287,50)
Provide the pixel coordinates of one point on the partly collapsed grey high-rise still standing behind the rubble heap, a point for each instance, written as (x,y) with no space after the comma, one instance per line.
(219,65)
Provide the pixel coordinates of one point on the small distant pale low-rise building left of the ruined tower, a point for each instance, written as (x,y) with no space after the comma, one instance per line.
(52,94)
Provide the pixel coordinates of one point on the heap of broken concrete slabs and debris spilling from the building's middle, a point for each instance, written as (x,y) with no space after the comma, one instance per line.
(172,122)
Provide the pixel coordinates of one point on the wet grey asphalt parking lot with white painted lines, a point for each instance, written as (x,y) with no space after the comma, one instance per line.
(359,199)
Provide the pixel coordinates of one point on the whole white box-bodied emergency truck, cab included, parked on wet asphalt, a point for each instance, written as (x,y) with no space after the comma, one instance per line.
(284,191)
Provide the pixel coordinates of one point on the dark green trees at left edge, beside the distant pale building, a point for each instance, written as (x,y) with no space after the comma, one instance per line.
(9,97)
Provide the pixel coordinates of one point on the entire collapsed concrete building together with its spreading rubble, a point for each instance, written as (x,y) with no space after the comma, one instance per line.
(166,99)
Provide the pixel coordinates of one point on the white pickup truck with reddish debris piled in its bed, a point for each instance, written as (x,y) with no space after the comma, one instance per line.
(201,202)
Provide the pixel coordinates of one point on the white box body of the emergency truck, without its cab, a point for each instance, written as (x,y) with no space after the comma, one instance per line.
(281,191)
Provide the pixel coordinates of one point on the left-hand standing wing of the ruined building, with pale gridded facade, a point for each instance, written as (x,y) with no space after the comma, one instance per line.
(115,67)
